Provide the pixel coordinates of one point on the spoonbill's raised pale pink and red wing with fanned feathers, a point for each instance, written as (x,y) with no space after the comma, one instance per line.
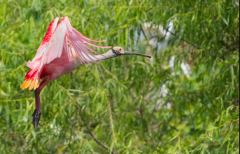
(64,38)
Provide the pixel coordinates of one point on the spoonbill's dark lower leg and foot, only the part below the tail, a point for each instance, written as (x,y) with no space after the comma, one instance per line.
(37,112)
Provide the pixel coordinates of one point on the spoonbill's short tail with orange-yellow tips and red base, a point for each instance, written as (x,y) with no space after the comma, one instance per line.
(31,80)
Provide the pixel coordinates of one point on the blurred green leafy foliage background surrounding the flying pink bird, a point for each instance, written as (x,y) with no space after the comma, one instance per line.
(183,100)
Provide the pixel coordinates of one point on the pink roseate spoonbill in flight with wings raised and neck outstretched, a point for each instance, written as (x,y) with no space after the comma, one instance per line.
(62,50)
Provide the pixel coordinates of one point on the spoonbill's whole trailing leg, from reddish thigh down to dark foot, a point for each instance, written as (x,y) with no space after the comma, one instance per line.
(37,112)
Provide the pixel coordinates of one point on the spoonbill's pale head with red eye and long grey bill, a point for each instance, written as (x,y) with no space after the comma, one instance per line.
(118,51)
